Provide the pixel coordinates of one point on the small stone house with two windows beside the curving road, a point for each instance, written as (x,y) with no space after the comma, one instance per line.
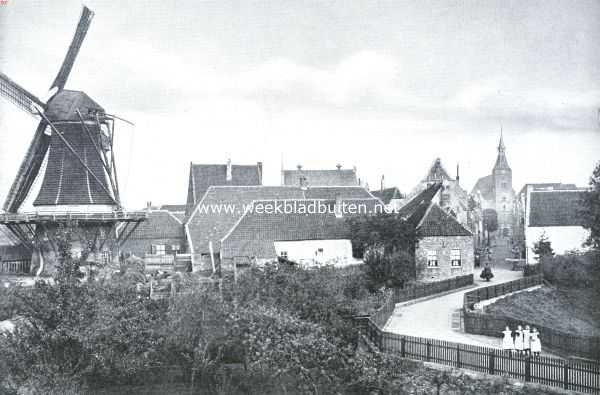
(445,246)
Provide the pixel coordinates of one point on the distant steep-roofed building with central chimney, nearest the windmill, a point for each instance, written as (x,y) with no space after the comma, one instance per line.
(203,176)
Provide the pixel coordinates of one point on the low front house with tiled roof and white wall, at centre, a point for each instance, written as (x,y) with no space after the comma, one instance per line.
(305,237)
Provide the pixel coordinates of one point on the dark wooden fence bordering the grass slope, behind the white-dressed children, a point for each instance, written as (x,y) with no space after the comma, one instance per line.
(478,322)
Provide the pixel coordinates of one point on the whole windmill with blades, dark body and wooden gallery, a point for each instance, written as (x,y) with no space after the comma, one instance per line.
(72,154)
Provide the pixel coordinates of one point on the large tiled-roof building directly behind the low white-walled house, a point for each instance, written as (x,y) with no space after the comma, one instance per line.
(223,207)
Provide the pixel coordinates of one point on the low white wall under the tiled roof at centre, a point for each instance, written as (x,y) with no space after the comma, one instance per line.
(336,252)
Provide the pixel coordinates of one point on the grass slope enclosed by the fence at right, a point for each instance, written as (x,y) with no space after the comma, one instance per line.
(572,310)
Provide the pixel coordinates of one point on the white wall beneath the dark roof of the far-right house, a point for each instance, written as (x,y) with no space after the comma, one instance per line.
(562,239)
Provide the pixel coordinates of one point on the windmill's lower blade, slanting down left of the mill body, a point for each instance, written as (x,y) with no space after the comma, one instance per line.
(28,170)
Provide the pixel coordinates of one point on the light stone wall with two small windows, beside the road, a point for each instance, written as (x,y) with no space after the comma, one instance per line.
(443,245)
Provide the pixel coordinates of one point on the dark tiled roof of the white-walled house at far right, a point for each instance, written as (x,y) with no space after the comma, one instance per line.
(556,208)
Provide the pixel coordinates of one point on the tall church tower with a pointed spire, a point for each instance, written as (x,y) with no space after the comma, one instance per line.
(503,191)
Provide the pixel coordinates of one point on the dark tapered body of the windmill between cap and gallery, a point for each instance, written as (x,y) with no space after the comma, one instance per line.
(66,181)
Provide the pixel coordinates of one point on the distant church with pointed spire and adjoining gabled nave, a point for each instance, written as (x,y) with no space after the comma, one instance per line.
(495,192)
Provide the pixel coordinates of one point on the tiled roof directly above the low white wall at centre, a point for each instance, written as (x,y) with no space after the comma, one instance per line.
(254,235)
